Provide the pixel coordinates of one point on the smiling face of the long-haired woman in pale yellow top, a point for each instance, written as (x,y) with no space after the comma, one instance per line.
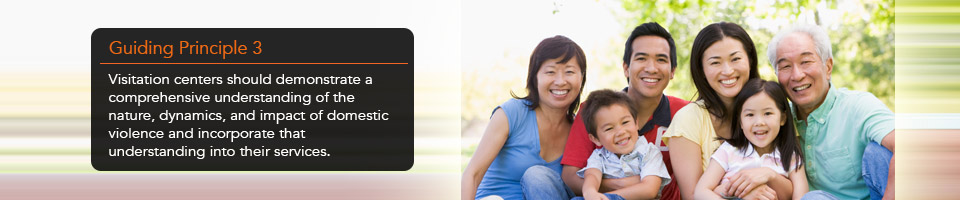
(726,67)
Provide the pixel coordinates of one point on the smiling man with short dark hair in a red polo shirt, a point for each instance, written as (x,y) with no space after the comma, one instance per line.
(649,61)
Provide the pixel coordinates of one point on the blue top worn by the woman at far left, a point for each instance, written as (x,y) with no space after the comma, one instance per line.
(519,152)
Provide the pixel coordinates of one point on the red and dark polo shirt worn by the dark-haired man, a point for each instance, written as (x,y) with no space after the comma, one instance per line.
(579,146)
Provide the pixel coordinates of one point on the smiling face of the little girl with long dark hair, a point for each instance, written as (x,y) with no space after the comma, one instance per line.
(761,121)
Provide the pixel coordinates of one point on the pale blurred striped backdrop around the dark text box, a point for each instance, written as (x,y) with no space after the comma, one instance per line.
(45,100)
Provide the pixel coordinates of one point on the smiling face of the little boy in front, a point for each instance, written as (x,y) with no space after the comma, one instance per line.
(616,129)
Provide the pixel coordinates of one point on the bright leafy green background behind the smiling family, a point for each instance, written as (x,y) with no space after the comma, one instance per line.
(496,48)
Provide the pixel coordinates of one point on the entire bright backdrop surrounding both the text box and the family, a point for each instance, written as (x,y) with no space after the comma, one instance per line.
(483,46)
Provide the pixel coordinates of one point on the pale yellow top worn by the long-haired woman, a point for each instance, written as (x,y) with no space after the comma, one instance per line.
(693,123)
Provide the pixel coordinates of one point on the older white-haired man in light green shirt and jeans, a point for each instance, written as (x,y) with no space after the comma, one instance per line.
(839,129)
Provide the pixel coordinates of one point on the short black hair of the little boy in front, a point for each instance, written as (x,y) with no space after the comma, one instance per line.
(600,99)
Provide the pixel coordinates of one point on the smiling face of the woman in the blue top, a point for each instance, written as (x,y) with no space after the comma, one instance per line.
(559,83)
